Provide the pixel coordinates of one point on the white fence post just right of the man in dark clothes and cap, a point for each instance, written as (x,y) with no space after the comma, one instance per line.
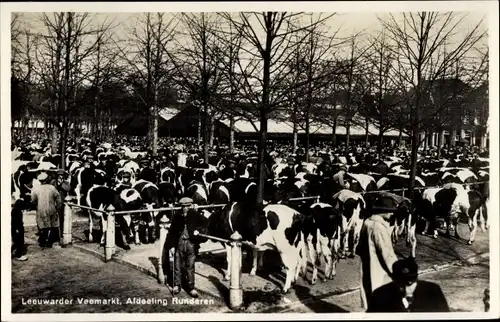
(235,290)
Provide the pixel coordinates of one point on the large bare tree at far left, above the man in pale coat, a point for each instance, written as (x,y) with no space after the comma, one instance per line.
(57,65)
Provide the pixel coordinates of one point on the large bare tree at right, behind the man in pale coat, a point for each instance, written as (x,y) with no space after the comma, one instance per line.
(418,37)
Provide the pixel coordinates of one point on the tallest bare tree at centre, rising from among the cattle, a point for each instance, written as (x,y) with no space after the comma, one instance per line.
(267,46)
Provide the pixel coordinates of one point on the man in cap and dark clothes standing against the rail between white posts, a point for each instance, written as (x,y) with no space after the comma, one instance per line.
(181,237)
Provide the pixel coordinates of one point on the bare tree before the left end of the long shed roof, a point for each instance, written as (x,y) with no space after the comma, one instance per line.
(146,54)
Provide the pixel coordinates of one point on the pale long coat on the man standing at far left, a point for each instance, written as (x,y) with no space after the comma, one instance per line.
(48,204)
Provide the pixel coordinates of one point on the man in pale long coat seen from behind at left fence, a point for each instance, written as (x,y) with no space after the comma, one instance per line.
(48,205)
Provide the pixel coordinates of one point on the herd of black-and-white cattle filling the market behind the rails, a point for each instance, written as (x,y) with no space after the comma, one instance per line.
(327,226)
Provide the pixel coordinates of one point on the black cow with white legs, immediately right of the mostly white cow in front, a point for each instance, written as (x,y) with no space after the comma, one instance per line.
(322,232)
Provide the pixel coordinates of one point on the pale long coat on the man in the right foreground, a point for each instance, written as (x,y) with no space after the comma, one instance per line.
(377,256)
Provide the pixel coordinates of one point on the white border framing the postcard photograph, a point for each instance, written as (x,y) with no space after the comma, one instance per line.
(487,7)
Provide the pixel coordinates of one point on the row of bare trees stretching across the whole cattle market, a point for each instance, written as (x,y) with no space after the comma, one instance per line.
(416,74)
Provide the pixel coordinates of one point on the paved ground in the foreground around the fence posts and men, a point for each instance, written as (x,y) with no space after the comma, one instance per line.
(462,282)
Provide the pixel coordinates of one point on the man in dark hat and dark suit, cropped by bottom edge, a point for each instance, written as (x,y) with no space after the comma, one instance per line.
(408,294)
